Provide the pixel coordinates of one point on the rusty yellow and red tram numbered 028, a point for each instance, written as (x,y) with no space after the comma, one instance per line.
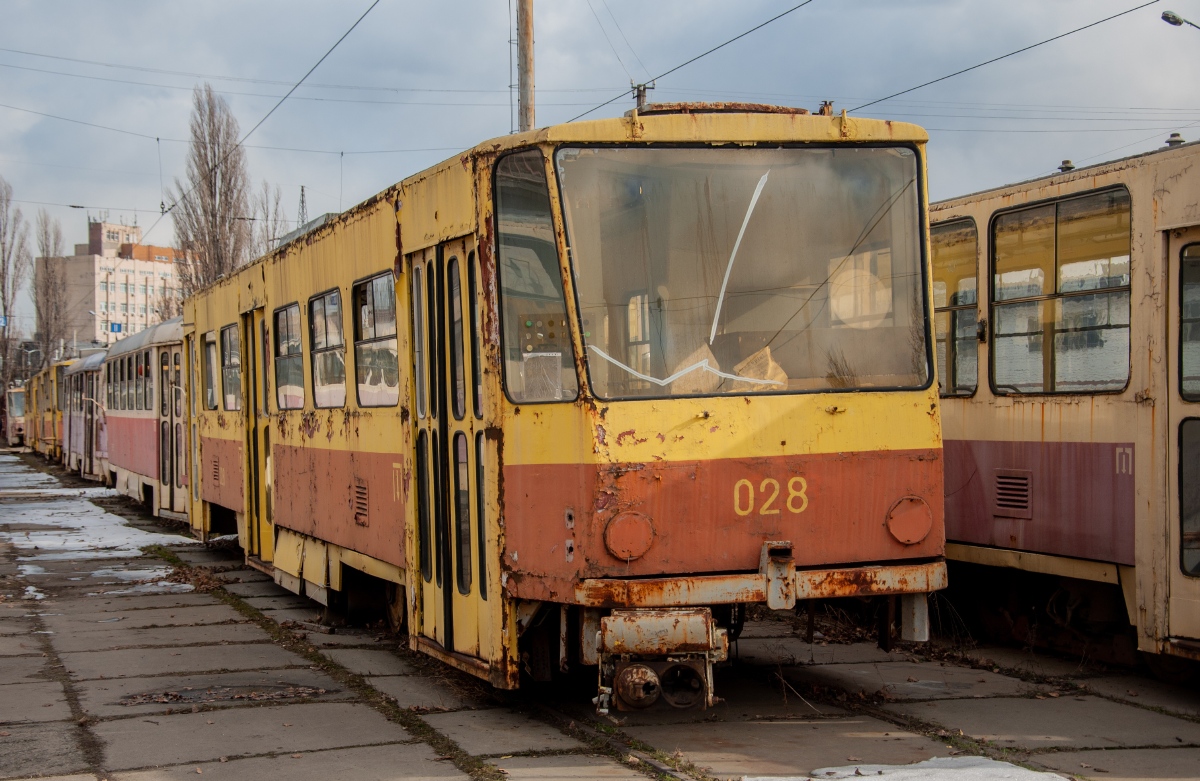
(579,395)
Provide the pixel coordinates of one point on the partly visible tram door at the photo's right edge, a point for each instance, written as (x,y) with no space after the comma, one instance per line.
(1184,434)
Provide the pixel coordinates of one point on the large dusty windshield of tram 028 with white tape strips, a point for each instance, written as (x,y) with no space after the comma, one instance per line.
(710,272)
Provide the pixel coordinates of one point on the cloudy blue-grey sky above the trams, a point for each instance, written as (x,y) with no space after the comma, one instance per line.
(418,81)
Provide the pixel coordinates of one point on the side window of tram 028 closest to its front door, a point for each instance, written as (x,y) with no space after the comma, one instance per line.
(376,362)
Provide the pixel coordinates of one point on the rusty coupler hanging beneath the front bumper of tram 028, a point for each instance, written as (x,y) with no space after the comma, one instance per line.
(652,654)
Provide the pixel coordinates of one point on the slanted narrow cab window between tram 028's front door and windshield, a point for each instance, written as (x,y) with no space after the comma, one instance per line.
(536,343)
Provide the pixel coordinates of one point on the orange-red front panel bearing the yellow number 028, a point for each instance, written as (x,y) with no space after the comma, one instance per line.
(563,521)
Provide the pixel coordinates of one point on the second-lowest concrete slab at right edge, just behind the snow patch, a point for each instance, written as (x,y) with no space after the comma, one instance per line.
(1076,723)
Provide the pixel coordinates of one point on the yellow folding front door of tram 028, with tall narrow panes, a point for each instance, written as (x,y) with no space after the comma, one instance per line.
(451,450)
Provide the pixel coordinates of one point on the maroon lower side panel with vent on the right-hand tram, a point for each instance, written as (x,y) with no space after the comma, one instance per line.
(1081,497)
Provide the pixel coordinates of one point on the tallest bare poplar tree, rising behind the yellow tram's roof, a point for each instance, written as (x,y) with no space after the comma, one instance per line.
(214,202)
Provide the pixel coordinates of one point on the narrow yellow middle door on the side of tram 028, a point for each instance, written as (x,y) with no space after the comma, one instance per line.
(256,347)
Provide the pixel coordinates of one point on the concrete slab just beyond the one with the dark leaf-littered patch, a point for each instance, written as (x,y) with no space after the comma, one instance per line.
(190,659)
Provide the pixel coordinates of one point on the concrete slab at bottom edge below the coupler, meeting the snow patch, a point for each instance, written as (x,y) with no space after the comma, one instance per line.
(789,748)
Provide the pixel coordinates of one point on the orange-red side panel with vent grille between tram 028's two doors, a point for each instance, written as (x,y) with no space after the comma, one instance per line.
(353,500)
